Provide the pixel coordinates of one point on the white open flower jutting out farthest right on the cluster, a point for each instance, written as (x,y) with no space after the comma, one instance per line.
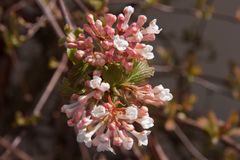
(163,93)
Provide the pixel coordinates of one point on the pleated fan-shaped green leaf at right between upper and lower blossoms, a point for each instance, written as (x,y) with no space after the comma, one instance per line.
(141,71)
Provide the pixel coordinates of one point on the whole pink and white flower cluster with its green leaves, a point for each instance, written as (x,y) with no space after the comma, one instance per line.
(108,96)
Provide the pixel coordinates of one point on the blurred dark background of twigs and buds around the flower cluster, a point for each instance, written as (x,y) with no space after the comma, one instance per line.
(197,57)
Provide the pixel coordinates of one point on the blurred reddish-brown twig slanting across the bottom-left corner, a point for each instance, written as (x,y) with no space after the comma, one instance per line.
(19,153)
